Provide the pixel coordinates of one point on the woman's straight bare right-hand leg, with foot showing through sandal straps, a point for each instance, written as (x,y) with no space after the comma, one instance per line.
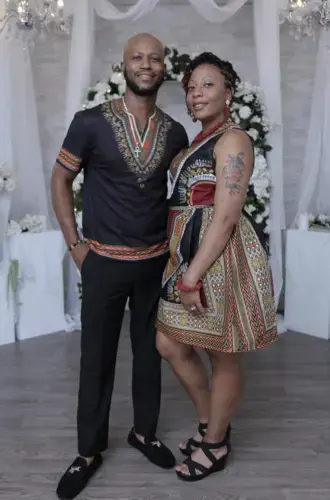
(226,391)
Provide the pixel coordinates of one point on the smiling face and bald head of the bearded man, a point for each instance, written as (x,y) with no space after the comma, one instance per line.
(144,66)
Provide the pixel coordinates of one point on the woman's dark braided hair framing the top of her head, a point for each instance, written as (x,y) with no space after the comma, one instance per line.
(225,67)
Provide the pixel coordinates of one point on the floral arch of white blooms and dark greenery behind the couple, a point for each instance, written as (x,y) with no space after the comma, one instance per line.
(247,111)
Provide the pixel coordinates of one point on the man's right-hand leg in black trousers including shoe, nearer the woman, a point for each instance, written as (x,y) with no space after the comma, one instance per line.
(146,383)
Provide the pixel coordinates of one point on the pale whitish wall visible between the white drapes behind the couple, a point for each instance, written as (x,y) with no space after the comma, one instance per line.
(182,27)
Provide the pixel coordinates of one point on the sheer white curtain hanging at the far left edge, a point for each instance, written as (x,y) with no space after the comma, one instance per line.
(19,132)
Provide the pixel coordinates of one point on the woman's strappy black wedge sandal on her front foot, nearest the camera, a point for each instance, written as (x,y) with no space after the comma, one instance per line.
(193,466)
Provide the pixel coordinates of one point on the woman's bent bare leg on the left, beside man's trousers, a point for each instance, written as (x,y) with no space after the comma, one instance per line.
(190,370)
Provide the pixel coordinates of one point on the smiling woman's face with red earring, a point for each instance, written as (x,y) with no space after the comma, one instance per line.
(207,94)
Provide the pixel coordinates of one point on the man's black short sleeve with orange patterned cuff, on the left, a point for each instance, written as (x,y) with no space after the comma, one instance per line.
(76,145)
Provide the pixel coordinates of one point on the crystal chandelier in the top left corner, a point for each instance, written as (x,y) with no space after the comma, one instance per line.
(30,17)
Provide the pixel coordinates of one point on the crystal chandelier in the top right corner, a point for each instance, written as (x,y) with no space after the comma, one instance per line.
(305,16)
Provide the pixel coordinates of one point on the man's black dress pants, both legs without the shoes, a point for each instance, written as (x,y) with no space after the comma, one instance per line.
(106,286)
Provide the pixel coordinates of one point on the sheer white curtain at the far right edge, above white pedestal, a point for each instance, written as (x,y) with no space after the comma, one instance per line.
(315,181)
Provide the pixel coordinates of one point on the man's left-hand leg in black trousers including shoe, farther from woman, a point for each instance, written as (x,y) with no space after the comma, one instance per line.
(105,288)
